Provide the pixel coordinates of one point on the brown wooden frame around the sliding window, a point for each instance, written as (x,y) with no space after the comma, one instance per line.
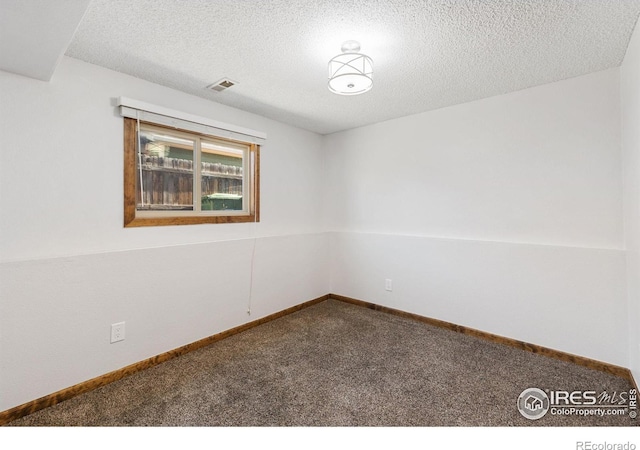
(131,180)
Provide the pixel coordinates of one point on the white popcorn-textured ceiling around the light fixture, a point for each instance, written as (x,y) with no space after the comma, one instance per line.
(427,54)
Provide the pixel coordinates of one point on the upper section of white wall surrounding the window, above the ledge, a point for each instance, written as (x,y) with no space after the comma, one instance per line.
(63,135)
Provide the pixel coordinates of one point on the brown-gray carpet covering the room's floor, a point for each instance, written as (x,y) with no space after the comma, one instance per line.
(335,364)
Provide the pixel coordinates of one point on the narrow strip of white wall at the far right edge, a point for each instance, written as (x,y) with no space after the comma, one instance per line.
(630,74)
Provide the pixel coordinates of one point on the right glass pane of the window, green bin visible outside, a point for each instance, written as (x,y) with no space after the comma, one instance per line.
(223,165)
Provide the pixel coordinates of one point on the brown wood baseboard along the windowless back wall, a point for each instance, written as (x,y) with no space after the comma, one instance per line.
(562,356)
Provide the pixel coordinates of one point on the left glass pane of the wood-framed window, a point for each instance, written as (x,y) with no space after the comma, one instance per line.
(165,172)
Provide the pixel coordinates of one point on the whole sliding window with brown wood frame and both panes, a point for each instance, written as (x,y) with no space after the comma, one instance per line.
(175,176)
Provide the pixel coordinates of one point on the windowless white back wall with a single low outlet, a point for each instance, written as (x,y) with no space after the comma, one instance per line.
(503,214)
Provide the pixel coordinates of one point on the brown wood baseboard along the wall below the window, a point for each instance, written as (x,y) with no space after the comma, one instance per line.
(86,386)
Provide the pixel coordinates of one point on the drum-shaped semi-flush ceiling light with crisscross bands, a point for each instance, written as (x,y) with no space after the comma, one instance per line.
(351,72)
